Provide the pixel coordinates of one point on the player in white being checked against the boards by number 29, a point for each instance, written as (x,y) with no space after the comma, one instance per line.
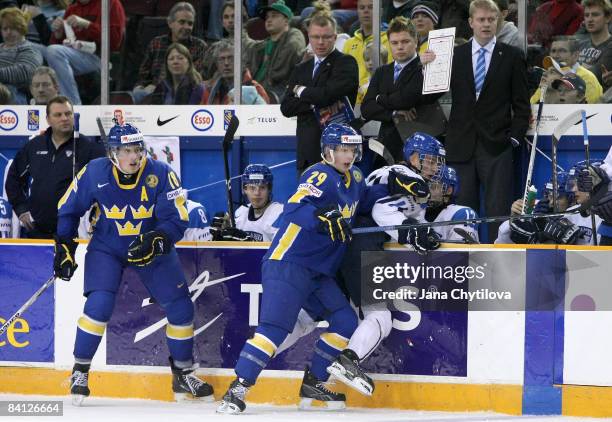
(424,156)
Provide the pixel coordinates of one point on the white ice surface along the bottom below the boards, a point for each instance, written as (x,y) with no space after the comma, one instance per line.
(103,409)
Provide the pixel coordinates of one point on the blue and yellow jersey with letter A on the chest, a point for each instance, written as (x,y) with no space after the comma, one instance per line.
(153,202)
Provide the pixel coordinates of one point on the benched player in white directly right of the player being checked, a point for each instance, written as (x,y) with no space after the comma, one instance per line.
(443,190)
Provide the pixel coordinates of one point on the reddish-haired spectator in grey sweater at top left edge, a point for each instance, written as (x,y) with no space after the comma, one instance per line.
(18,57)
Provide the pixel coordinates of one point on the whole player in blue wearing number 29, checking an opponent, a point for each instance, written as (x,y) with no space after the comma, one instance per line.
(299,268)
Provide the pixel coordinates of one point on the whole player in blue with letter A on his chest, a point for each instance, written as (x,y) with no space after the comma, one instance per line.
(142,215)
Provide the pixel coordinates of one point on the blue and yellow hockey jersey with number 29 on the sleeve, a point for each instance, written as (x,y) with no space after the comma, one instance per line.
(320,186)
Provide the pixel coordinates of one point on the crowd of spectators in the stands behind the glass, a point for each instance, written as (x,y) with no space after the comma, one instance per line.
(65,36)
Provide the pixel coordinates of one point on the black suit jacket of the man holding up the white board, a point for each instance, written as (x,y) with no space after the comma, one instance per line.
(385,96)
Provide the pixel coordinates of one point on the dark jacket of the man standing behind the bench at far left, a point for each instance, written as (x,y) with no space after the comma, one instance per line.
(46,173)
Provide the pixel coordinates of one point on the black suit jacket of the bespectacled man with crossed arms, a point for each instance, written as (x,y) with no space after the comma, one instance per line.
(336,77)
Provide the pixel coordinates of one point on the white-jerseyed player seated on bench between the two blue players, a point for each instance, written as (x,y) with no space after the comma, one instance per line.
(255,221)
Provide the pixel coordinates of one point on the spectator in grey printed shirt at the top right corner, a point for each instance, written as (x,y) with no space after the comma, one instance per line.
(596,52)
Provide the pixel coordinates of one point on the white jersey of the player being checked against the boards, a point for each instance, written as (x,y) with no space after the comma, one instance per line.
(393,210)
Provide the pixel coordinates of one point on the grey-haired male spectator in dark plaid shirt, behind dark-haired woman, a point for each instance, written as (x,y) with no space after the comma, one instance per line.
(152,69)
